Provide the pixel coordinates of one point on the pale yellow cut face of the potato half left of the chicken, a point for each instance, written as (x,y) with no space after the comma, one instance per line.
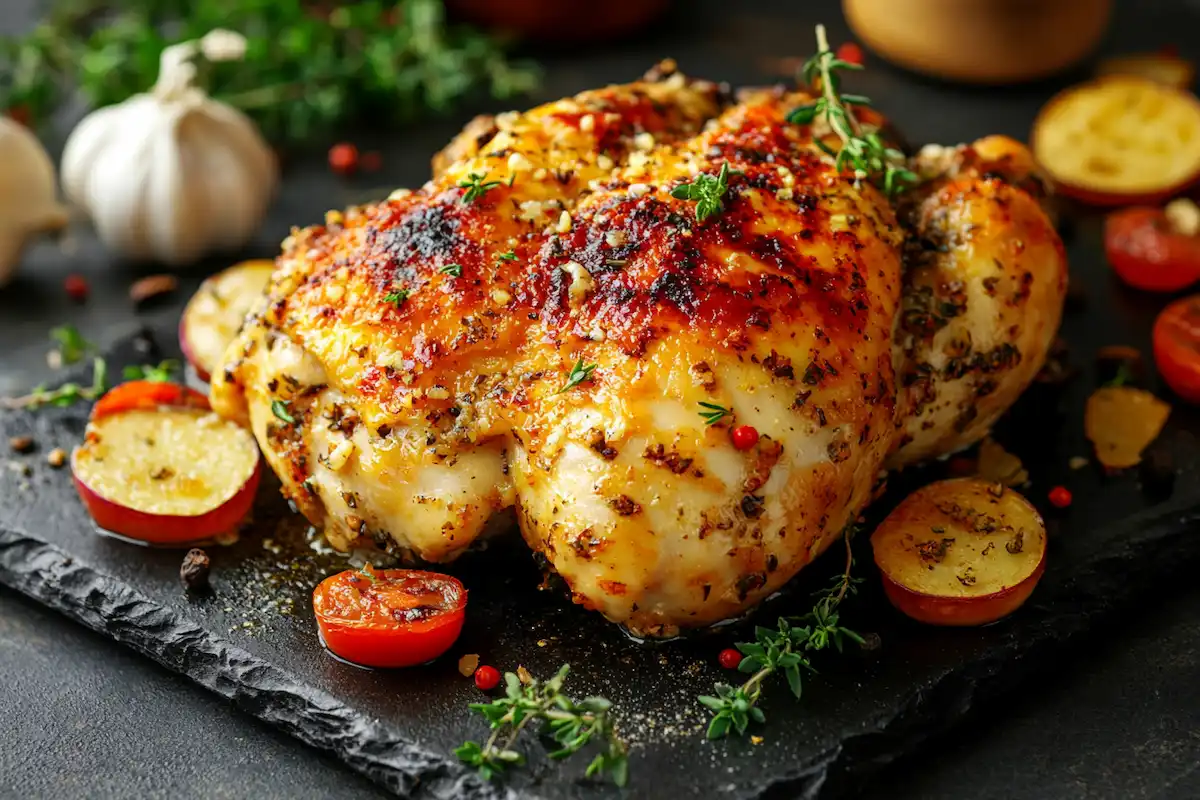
(171,462)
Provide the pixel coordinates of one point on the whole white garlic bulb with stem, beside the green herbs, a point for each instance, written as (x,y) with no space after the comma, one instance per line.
(172,176)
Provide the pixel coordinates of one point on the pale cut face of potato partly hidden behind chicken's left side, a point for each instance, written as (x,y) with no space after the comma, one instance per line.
(214,315)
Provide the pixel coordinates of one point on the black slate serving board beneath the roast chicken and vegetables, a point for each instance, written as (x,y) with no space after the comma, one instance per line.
(254,640)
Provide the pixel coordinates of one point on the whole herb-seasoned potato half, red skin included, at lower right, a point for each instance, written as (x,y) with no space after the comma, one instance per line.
(961,552)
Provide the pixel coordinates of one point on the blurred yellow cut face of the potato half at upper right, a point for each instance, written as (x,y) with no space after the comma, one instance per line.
(1120,135)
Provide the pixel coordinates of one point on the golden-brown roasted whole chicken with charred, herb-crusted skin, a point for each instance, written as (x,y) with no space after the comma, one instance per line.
(562,329)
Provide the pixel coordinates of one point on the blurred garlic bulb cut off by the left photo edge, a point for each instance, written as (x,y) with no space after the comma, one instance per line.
(28,204)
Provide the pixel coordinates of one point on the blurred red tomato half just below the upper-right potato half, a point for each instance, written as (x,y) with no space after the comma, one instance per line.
(1149,254)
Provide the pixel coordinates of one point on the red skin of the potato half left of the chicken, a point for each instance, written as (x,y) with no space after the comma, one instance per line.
(169,531)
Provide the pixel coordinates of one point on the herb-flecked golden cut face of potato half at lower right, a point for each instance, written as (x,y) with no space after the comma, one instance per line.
(961,539)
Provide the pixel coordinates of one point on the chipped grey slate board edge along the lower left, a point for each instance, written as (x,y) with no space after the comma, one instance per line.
(104,604)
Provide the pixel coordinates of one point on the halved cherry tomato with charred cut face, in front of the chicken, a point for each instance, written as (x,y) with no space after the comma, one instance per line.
(389,618)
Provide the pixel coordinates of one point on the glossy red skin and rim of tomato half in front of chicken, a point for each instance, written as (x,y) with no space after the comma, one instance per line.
(393,645)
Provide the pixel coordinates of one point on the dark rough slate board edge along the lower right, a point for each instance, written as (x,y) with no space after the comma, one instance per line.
(1148,551)
